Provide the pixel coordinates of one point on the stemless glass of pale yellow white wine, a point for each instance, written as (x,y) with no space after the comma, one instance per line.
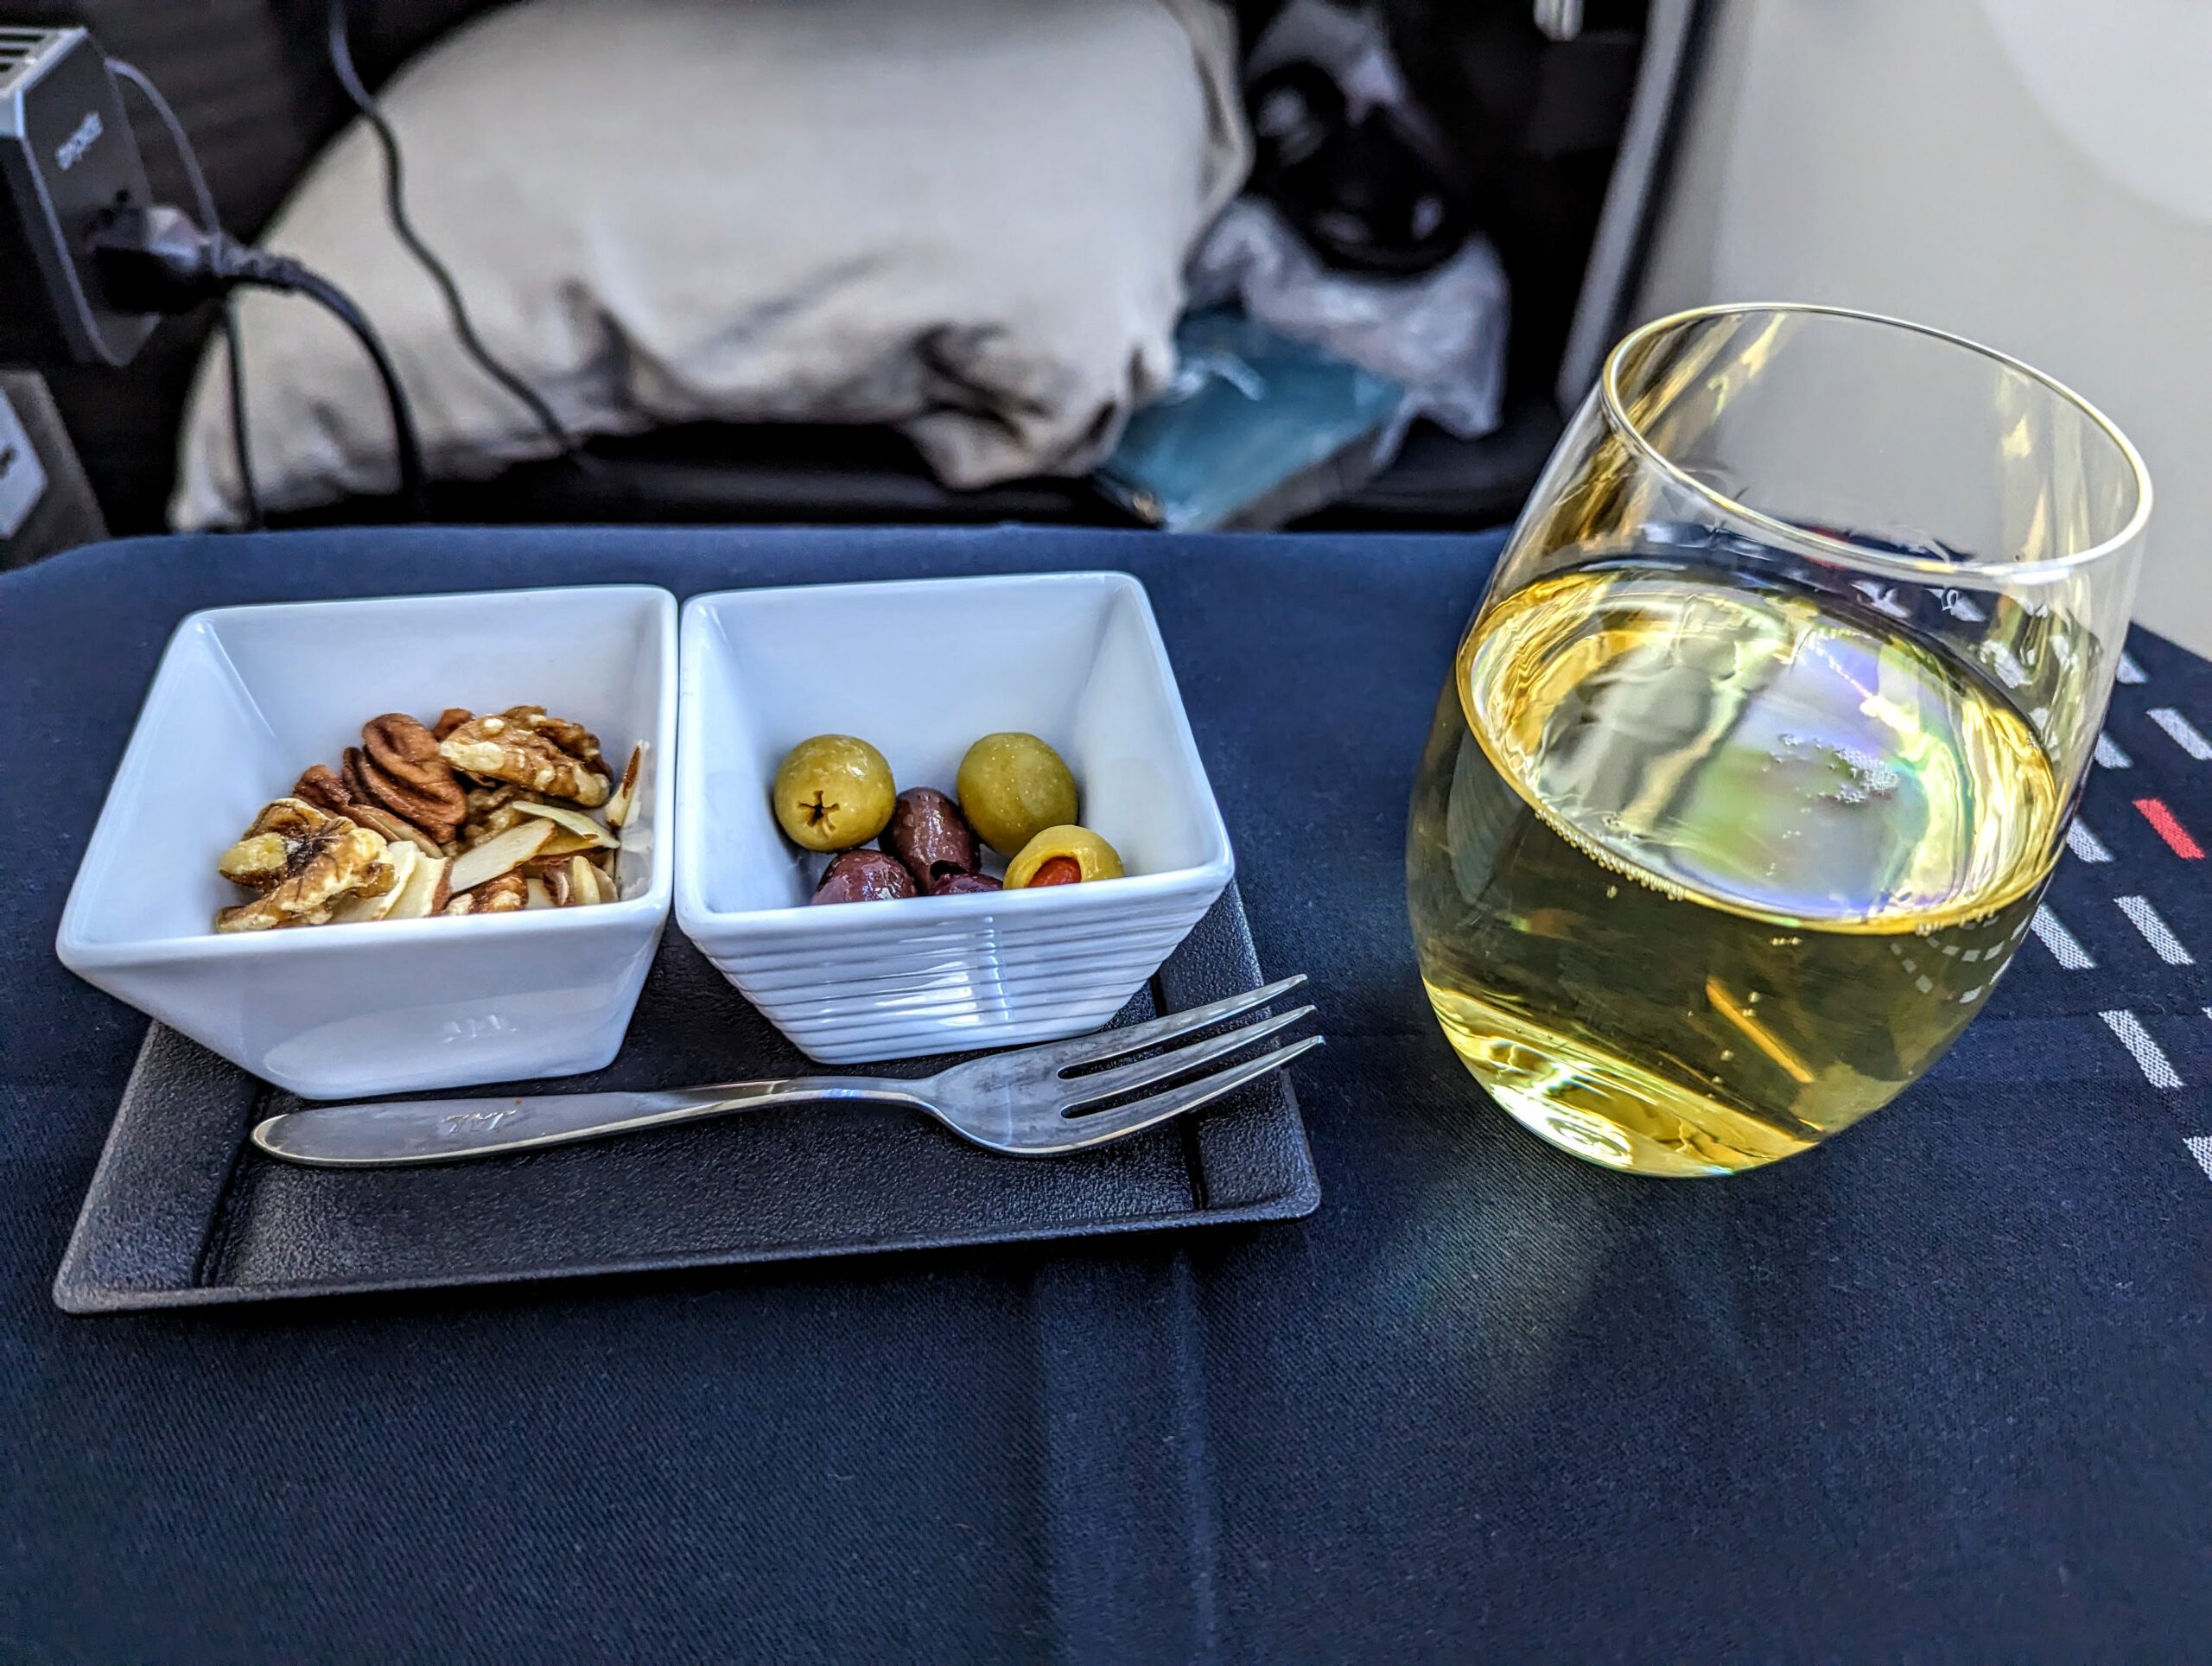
(1764,742)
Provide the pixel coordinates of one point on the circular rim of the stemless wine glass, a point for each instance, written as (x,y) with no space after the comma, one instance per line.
(1844,550)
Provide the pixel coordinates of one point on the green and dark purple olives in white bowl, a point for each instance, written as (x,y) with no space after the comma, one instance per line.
(835,793)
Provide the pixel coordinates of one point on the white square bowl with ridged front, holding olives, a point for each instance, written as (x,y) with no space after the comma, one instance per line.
(924,671)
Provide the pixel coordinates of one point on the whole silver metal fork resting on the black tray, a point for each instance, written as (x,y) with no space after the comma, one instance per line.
(1021,1103)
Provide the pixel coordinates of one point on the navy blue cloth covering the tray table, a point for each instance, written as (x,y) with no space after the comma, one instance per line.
(1932,1391)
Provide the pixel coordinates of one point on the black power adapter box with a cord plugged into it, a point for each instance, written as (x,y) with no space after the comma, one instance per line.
(72,169)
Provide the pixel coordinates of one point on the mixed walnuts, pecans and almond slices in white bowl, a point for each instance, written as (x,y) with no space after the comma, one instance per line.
(468,815)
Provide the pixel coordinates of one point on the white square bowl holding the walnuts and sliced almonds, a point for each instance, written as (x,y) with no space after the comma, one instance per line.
(249,698)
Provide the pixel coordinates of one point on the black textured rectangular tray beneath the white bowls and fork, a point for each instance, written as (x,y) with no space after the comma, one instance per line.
(187,1211)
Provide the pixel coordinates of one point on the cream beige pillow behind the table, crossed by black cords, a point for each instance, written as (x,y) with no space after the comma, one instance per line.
(963,218)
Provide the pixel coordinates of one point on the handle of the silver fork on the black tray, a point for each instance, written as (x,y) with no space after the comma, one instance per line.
(435,1132)
